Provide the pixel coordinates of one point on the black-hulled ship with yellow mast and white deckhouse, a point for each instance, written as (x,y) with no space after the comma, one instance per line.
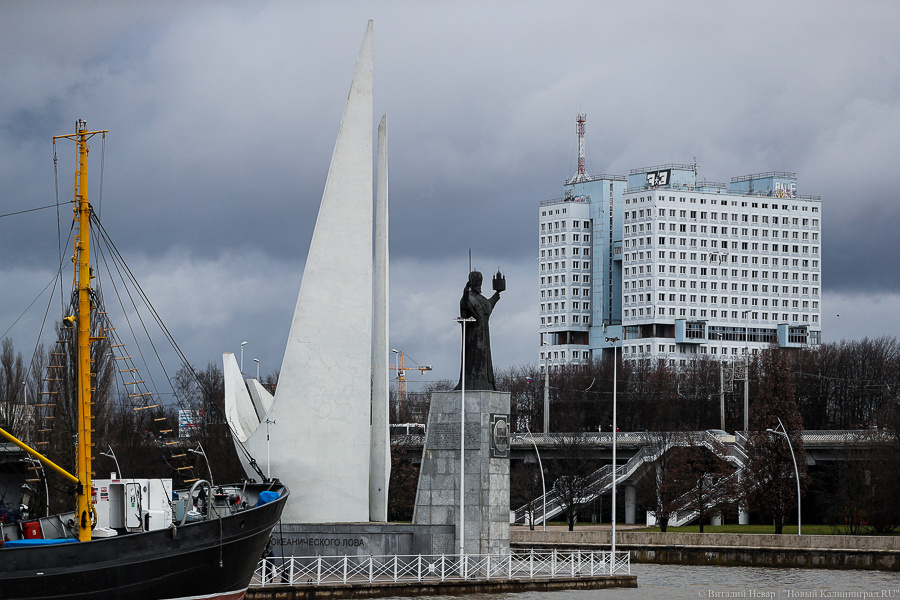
(130,538)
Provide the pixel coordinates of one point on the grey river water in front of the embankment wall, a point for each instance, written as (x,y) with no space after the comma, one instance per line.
(680,582)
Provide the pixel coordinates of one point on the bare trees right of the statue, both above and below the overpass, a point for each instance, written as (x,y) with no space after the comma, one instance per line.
(850,385)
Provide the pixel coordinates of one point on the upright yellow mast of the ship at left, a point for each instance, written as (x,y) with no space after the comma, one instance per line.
(84,511)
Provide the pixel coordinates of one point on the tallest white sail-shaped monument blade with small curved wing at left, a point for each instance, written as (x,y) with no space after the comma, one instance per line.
(320,442)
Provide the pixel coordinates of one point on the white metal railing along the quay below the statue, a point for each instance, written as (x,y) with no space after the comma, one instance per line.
(518,564)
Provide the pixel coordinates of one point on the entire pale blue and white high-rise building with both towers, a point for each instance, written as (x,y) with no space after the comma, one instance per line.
(670,268)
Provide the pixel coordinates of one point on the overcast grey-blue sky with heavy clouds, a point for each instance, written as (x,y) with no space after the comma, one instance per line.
(223,115)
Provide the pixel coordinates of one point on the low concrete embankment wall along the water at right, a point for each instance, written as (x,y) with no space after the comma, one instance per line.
(729,549)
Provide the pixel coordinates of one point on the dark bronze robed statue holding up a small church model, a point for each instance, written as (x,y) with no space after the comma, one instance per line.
(477,368)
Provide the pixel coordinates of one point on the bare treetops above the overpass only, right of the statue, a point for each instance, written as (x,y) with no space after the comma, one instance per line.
(847,385)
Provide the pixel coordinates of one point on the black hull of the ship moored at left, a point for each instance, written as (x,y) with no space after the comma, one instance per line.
(202,559)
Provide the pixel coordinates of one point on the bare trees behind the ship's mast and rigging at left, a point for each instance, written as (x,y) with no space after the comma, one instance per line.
(38,404)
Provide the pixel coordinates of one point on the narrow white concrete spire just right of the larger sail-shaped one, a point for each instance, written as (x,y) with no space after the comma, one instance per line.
(380,459)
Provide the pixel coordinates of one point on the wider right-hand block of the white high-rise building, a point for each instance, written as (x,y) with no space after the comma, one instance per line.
(710,270)
